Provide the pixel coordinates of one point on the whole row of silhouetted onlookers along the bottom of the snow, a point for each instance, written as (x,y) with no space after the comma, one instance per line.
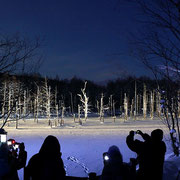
(48,164)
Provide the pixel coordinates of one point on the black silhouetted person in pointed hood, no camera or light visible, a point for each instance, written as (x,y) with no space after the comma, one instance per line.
(47,164)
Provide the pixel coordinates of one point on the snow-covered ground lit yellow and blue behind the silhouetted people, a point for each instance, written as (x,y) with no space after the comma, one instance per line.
(87,142)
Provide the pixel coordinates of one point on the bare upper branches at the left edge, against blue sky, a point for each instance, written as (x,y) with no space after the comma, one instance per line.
(18,54)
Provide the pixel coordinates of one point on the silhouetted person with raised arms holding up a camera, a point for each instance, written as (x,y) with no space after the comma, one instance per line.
(150,153)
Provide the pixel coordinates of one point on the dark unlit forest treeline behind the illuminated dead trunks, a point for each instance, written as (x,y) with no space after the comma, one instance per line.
(68,90)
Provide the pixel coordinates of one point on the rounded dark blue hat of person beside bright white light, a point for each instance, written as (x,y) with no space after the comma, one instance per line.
(115,154)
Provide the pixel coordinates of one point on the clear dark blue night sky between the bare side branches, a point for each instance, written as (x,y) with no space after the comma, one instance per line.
(86,38)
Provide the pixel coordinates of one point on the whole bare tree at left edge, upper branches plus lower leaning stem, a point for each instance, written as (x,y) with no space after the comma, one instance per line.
(17,55)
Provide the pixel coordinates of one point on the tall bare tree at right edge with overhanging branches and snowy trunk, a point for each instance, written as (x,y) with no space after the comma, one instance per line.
(158,47)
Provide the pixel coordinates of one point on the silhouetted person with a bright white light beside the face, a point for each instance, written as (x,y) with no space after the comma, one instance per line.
(114,168)
